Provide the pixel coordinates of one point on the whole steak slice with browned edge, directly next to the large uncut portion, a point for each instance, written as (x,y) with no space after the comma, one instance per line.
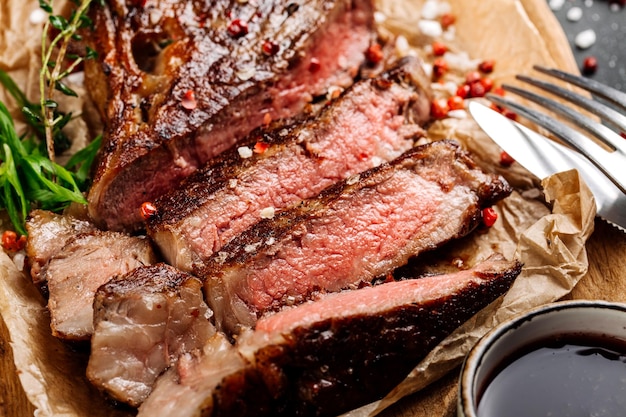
(374,121)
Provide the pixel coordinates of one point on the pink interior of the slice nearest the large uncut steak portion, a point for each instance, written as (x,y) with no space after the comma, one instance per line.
(351,146)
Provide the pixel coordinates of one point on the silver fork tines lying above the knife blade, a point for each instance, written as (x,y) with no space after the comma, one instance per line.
(611,163)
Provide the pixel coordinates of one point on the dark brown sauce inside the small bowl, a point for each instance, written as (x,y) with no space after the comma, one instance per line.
(570,375)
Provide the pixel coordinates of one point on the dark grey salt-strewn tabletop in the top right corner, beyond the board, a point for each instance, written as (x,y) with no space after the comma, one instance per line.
(608,19)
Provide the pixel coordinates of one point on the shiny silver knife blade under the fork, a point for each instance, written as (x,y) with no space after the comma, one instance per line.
(544,157)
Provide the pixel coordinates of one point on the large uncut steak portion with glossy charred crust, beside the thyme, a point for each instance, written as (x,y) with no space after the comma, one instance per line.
(179,82)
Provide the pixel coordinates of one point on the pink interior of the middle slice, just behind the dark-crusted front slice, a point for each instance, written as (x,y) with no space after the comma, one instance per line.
(353,242)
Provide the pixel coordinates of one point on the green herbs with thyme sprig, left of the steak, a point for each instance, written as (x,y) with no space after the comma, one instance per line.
(29,175)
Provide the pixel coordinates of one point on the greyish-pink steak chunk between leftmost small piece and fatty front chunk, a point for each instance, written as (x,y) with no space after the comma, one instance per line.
(84,264)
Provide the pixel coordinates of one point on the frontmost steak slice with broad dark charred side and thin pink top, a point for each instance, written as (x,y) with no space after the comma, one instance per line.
(330,356)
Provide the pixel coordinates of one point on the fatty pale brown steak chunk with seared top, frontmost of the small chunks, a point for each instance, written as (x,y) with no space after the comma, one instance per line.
(143,321)
